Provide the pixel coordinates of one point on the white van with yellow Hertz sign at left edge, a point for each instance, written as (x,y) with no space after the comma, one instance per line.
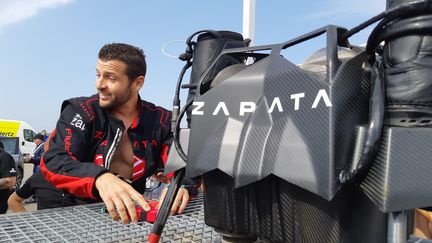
(20,129)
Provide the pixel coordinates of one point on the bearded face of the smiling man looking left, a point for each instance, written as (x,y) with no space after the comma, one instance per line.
(112,83)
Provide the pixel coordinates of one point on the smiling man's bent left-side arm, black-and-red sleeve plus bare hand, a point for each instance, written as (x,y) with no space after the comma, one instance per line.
(66,164)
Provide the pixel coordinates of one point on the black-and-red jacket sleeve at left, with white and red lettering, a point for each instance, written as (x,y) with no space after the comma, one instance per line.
(66,163)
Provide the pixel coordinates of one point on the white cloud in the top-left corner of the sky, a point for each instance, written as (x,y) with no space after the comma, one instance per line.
(13,11)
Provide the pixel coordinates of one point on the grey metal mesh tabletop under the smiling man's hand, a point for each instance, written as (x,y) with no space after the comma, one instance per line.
(87,223)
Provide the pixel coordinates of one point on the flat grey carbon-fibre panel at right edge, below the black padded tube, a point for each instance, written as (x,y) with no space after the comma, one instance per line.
(401,170)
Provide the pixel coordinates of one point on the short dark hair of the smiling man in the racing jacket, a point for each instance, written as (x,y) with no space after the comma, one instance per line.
(132,56)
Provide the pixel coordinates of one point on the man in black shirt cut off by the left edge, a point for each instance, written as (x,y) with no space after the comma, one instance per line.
(7,177)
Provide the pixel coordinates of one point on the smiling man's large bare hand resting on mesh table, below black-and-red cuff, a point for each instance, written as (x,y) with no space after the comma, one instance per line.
(118,194)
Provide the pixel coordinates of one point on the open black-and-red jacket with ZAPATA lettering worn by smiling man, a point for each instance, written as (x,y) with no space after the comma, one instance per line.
(86,137)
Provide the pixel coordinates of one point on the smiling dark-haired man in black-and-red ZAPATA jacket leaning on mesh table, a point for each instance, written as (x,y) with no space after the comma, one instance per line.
(104,141)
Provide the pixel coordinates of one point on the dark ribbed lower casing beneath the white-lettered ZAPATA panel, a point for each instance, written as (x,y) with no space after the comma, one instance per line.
(278,211)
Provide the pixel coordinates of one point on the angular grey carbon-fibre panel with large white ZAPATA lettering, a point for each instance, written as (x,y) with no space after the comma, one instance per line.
(301,140)
